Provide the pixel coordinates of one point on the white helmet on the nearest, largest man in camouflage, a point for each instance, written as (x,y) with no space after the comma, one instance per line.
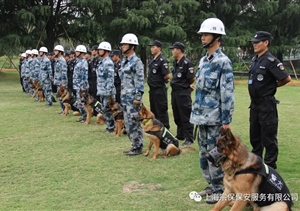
(213,26)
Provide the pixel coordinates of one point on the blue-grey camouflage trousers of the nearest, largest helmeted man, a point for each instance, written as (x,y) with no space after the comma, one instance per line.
(208,136)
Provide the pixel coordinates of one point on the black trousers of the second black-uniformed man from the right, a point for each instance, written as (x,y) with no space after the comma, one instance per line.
(182,107)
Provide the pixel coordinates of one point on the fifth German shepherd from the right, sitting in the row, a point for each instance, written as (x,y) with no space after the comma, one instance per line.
(68,100)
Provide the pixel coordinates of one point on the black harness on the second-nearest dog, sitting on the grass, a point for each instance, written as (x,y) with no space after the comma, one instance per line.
(164,135)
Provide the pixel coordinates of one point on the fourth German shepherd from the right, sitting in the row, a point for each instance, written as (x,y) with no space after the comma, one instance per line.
(92,107)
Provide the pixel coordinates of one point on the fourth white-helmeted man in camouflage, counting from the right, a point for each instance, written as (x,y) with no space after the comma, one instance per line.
(80,78)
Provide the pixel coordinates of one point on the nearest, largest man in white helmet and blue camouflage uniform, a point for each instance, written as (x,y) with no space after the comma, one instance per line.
(214,103)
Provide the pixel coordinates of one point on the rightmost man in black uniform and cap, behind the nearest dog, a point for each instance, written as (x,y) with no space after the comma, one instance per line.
(265,75)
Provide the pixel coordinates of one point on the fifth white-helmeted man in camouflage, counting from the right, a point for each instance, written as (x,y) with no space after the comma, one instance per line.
(60,71)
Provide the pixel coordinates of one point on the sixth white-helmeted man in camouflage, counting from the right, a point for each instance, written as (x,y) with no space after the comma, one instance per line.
(46,76)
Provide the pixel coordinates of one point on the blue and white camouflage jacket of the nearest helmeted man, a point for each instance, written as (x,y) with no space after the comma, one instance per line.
(214,101)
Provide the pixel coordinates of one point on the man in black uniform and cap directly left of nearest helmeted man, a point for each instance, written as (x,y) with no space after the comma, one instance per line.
(183,77)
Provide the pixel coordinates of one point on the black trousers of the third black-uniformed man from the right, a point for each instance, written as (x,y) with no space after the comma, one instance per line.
(159,104)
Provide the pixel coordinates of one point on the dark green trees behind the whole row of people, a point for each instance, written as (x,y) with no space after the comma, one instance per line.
(27,24)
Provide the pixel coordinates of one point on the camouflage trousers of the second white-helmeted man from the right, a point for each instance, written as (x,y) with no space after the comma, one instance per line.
(133,126)
